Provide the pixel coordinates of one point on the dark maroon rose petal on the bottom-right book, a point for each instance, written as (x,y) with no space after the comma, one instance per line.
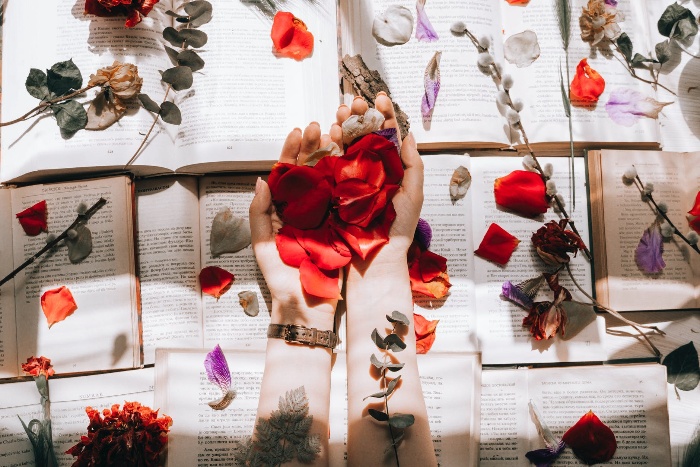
(591,440)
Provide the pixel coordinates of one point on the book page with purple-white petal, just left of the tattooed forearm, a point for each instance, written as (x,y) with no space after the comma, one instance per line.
(200,435)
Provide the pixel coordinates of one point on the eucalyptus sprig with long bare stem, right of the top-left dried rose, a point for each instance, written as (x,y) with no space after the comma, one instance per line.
(186,61)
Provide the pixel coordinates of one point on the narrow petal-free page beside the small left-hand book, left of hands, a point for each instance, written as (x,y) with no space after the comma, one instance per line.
(168,249)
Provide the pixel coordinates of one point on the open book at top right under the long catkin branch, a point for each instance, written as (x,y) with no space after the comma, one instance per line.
(466,113)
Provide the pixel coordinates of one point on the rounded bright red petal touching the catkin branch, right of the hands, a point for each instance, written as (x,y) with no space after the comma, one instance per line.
(522,192)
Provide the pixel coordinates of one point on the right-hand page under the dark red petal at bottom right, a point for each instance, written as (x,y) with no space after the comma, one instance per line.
(630,399)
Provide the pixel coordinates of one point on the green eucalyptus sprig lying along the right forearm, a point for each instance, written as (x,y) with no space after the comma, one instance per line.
(397,422)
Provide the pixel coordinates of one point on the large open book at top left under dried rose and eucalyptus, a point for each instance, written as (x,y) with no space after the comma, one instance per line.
(236,116)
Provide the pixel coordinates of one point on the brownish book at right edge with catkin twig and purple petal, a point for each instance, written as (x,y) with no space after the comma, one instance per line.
(619,217)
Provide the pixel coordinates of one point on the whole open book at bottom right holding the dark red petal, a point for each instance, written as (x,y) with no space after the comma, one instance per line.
(630,399)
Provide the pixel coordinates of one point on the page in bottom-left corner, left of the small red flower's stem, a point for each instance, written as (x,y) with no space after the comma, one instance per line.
(23,400)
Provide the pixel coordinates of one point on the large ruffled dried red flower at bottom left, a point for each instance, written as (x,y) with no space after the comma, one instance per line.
(135,435)
